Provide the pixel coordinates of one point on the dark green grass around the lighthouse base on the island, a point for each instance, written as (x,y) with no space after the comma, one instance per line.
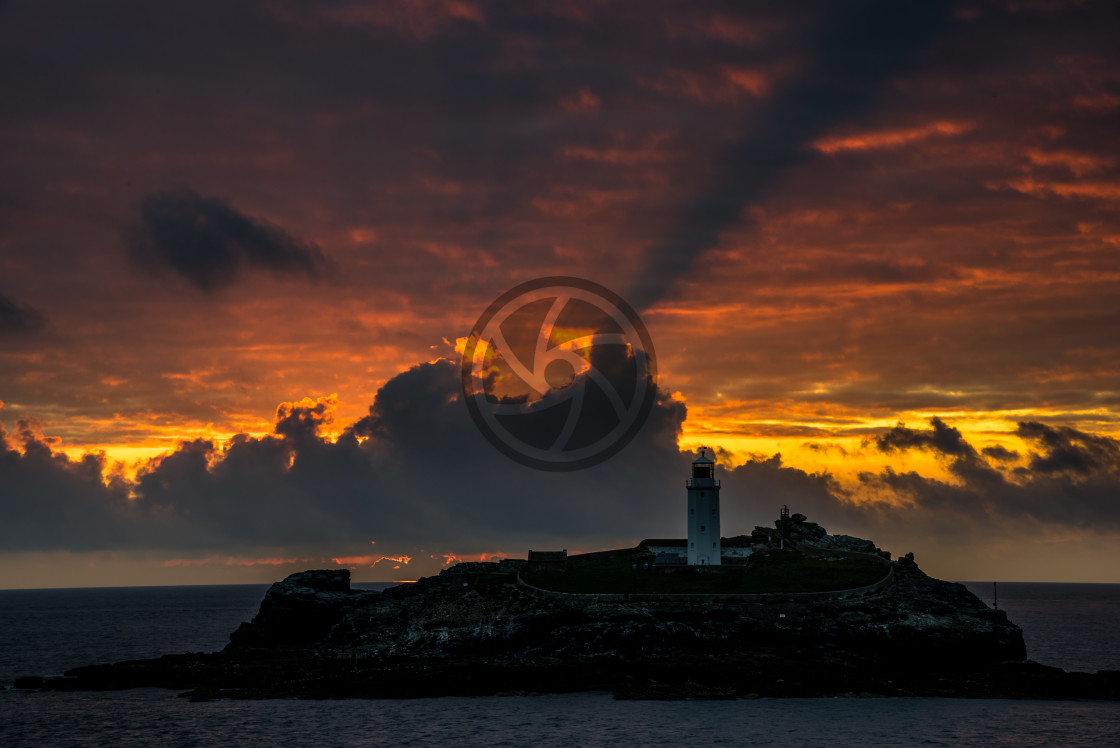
(773,572)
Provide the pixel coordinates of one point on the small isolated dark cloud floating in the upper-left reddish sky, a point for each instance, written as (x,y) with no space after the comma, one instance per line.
(211,245)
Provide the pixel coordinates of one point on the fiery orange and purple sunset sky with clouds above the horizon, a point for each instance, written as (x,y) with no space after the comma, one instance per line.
(242,244)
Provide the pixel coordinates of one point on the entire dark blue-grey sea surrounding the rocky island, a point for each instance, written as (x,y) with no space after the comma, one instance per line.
(46,632)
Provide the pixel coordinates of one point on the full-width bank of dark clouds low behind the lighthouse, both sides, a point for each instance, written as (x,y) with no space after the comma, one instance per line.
(416,474)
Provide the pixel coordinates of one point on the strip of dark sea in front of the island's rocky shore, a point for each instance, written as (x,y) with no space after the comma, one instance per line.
(151,717)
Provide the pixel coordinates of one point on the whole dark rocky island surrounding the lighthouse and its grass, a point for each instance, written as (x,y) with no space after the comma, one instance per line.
(486,629)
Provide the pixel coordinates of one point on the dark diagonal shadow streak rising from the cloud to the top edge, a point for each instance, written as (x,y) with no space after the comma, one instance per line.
(857,48)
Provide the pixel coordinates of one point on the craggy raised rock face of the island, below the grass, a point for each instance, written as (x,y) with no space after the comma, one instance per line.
(486,614)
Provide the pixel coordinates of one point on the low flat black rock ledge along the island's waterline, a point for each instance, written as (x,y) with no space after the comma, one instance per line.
(251,676)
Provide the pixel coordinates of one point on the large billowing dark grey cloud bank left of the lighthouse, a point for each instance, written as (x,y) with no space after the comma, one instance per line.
(416,472)
